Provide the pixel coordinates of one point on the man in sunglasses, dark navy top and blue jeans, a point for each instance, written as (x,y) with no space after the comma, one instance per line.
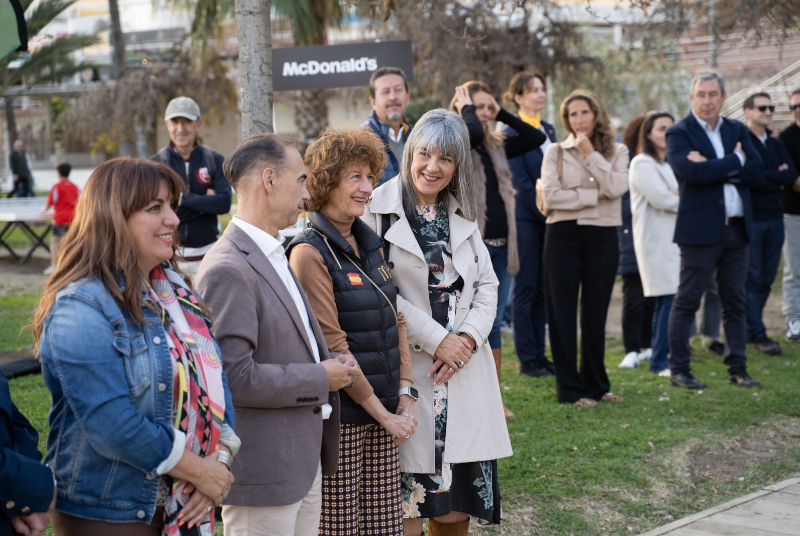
(766,239)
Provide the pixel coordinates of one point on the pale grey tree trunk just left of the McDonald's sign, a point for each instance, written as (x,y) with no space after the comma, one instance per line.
(255,65)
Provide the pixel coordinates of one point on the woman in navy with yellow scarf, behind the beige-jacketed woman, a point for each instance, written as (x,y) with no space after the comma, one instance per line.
(528,91)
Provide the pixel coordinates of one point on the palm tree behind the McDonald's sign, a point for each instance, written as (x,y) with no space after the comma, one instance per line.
(310,20)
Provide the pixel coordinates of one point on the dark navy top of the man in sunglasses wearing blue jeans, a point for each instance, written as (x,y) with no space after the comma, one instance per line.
(766,195)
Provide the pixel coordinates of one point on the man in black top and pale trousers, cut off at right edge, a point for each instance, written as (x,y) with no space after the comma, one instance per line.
(790,137)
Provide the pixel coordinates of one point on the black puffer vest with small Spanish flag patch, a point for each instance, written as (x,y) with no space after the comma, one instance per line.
(364,314)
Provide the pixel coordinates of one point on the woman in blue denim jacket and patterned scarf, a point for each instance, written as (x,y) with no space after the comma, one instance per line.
(141,415)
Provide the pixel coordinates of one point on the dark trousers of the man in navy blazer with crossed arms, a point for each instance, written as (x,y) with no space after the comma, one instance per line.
(730,259)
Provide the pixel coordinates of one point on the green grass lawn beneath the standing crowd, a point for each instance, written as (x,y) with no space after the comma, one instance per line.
(621,468)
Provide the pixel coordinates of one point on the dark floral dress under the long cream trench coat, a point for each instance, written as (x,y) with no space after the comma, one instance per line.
(472,487)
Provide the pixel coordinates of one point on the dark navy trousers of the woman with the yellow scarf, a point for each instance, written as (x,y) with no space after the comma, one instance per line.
(529,308)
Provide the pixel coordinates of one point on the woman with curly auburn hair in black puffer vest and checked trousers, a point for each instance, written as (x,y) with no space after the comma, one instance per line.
(339,262)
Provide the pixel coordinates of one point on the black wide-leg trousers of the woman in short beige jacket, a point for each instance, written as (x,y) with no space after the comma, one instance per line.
(579,258)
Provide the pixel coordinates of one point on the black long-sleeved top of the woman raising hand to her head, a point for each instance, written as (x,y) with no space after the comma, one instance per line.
(527,139)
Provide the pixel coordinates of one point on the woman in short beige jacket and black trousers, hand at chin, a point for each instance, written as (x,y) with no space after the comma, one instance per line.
(581,251)
